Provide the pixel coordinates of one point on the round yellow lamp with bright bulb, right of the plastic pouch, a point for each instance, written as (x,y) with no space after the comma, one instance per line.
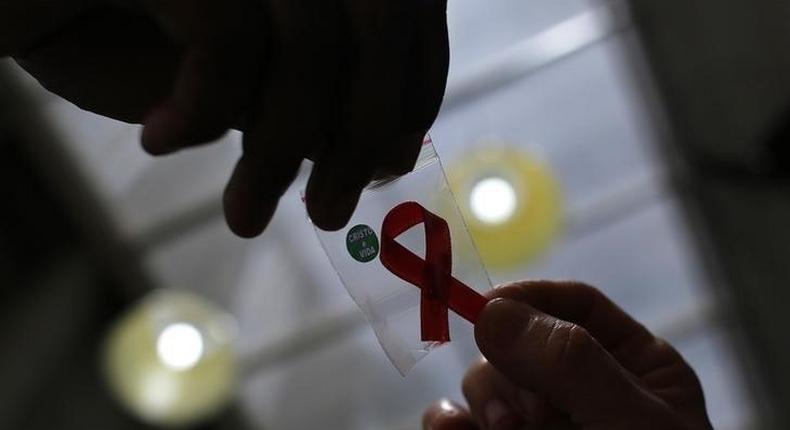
(511,202)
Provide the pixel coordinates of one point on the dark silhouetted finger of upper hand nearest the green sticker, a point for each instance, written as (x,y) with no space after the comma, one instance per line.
(370,112)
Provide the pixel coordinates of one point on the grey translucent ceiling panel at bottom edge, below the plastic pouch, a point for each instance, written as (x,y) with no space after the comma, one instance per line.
(350,385)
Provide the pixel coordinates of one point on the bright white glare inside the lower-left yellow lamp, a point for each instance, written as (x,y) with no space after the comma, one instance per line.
(180,346)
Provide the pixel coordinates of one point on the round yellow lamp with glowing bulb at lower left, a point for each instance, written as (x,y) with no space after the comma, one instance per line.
(170,360)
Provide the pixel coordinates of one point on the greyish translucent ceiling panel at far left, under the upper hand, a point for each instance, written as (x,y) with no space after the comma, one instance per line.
(141,190)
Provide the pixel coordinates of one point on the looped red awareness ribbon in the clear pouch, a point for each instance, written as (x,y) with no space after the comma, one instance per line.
(440,290)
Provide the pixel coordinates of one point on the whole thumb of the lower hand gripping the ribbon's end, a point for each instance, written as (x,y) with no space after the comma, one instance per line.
(561,362)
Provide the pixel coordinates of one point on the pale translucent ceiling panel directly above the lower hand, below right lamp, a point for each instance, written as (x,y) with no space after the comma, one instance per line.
(643,262)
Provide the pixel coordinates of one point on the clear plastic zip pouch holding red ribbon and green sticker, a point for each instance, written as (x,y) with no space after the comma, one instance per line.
(409,262)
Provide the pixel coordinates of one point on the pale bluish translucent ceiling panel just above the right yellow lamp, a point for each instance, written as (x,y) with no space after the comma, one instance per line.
(580,114)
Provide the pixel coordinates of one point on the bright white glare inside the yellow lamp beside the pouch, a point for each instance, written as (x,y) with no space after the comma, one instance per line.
(493,200)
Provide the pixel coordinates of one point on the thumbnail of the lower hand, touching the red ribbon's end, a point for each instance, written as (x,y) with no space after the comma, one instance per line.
(502,322)
